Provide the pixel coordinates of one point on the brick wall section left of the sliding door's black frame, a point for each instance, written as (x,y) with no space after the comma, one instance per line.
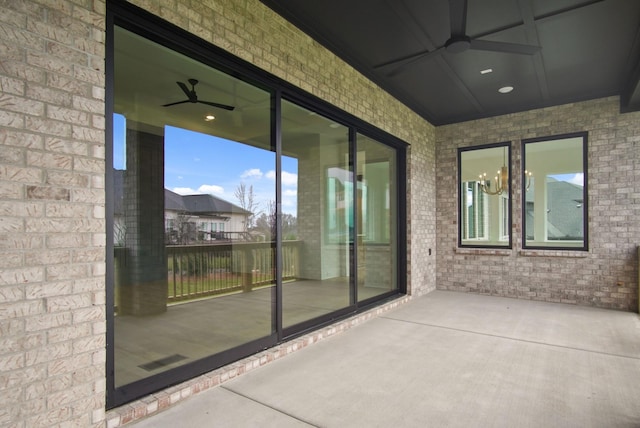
(52,227)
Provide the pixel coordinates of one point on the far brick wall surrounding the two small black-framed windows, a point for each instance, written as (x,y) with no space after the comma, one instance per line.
(605,276)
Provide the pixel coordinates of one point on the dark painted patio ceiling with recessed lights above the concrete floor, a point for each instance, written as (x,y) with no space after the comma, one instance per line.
(574,50)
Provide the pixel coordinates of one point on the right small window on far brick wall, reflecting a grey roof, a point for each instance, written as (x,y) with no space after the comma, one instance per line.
(555,192)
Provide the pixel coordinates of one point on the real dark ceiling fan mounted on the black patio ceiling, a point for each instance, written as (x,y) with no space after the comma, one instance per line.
(459,42)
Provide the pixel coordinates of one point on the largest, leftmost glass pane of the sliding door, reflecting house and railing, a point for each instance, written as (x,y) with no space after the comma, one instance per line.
(185,289)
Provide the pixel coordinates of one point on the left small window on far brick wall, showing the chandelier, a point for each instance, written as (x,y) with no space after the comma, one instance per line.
(484,196)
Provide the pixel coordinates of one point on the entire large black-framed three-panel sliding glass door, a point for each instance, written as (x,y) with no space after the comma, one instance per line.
(240,213)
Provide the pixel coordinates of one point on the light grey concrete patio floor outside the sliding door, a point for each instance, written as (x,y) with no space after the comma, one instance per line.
(446,359)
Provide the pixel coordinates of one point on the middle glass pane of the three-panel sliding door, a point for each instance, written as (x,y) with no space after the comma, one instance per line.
(317,189)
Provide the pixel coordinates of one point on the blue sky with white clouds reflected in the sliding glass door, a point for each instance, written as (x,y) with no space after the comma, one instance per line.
(198,163)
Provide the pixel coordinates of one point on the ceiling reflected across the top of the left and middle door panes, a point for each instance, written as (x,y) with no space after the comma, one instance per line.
(146,76)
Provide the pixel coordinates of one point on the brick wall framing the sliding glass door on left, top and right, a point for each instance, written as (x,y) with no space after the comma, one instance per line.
(52,149)
